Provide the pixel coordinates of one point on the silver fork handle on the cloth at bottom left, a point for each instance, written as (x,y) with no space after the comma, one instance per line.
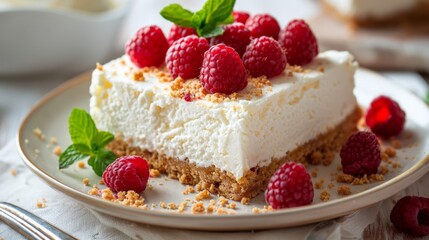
(30,225)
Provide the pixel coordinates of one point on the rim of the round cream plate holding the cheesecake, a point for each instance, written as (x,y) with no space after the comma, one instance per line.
(418,169)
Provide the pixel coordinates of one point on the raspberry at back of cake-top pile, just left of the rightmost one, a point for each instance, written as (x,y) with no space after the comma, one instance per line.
(263,25)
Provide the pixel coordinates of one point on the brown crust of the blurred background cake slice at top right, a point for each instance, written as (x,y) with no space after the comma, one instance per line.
(414,17)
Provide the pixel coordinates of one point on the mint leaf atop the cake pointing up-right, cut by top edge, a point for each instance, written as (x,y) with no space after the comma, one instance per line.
(218,10)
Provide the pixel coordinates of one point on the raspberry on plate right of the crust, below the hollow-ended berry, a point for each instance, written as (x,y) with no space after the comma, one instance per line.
(361,154)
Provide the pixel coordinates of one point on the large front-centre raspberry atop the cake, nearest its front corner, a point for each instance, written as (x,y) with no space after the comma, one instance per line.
(222,70)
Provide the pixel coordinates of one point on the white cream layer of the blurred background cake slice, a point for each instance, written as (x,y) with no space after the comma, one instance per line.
(372,8)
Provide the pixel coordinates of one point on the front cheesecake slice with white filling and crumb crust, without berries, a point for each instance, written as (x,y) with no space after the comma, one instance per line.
(227,144)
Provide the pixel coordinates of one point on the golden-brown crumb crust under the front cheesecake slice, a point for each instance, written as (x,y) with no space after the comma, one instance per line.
(255,180)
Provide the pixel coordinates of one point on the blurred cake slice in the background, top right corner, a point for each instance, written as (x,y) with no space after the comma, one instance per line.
(380,13)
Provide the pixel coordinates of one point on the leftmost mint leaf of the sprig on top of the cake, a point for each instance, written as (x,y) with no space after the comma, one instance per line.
(178,15)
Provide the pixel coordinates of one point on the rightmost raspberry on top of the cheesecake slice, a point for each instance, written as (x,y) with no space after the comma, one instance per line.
(299,42)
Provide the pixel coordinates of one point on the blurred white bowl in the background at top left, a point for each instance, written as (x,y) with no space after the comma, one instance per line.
(46,40)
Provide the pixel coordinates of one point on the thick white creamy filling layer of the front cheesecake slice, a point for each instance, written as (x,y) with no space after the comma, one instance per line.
(231,135)
